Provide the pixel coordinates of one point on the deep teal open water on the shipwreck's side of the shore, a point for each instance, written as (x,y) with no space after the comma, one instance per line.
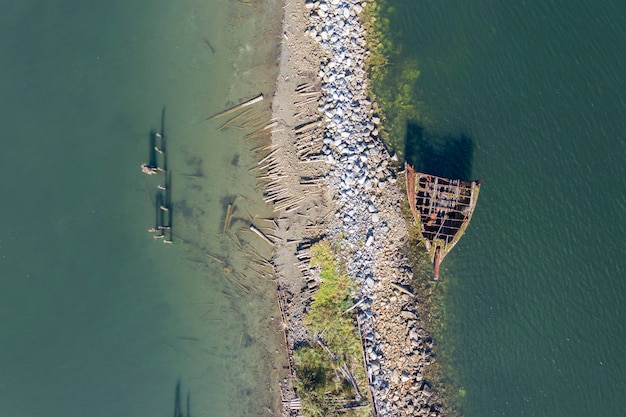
(536,296)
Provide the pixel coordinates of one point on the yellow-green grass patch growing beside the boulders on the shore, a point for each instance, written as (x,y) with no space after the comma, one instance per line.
(330,369)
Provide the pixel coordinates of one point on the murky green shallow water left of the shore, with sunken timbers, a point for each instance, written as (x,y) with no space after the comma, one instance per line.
(97,318)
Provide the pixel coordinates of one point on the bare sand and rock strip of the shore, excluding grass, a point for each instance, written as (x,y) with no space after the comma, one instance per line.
(341,187)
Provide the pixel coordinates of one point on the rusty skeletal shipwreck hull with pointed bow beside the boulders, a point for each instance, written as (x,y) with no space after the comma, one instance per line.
(442,209)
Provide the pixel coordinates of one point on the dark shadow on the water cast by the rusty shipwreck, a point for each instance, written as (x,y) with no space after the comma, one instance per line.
(444,156)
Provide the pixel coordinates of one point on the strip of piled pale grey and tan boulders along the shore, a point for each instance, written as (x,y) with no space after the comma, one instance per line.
(397,346)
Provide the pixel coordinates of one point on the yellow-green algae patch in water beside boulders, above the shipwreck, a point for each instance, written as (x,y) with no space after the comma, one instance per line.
(393,77)
